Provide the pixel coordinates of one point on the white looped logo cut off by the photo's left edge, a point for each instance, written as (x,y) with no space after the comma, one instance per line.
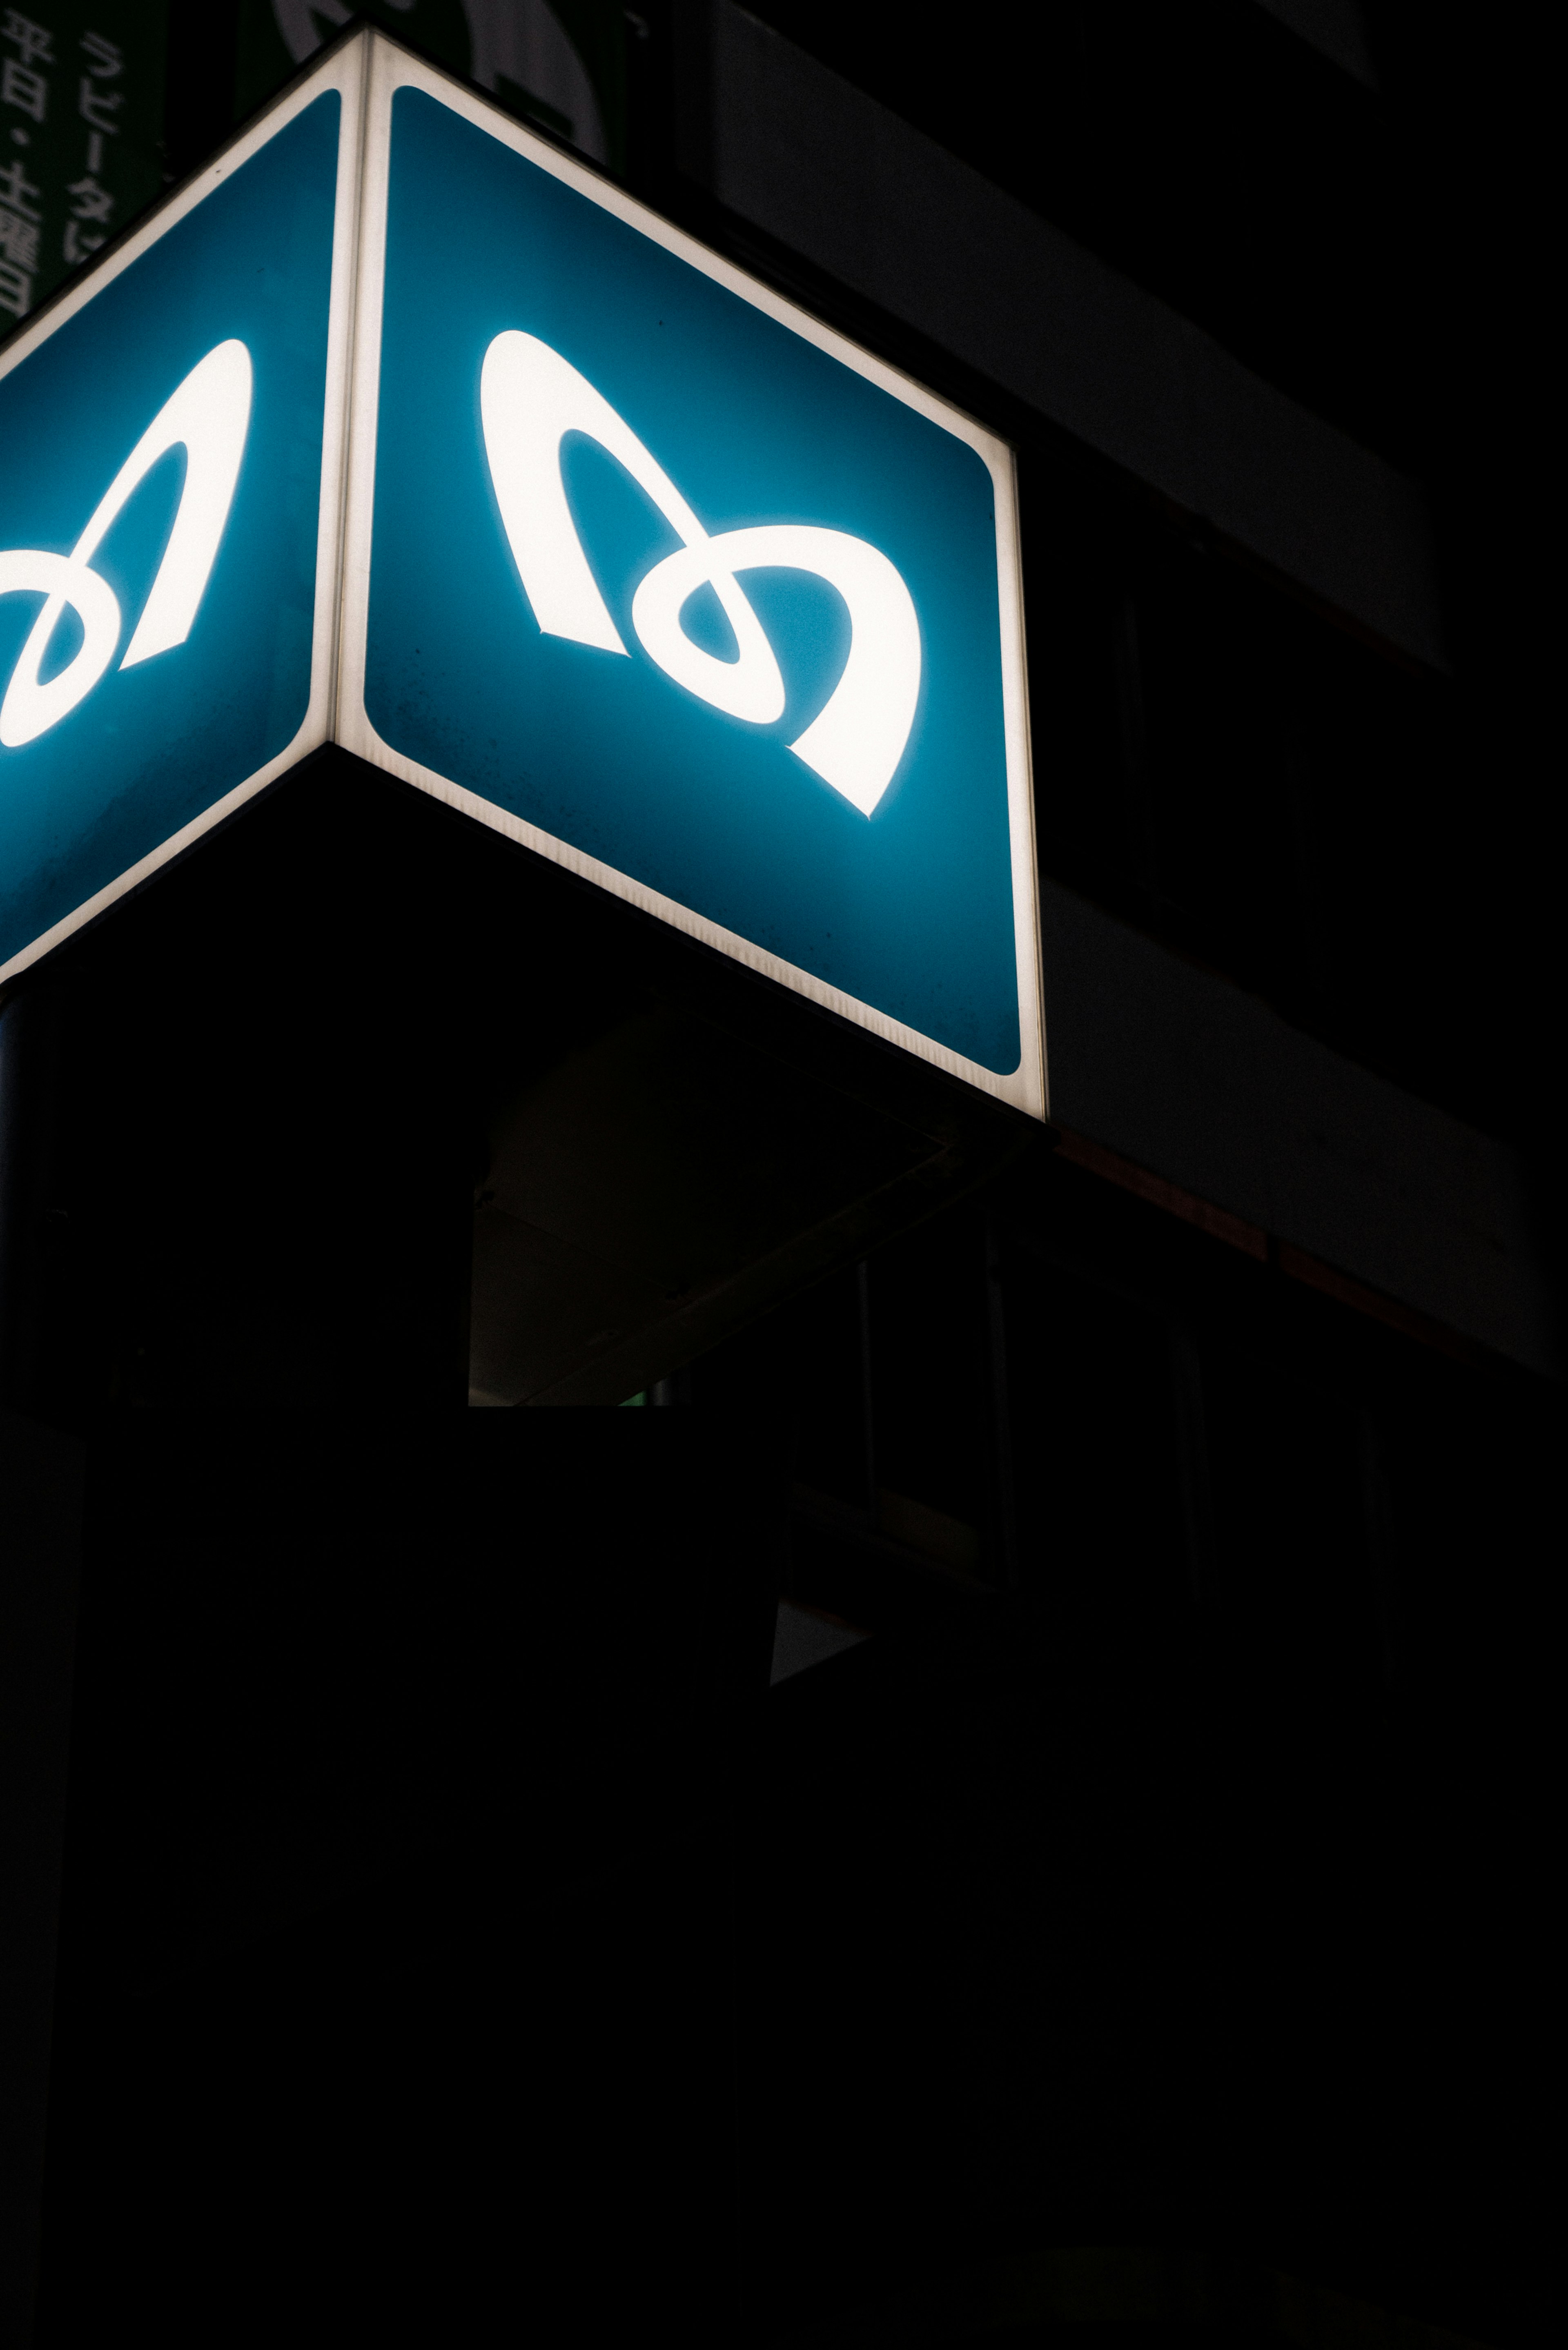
(210,417)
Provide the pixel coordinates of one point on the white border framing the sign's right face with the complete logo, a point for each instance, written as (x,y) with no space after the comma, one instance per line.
(396,69)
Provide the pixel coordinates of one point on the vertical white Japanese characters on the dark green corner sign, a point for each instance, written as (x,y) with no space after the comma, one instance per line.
(62,182)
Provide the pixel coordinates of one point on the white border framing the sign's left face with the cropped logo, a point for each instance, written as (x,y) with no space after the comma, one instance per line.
(342,72)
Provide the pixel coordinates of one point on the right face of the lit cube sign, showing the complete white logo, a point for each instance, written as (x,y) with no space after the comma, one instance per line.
(685,591)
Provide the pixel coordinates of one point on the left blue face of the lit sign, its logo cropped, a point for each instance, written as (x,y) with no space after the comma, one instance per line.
(161,521)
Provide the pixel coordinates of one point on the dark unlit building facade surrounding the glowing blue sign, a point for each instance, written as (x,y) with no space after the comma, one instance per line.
(1014,1792)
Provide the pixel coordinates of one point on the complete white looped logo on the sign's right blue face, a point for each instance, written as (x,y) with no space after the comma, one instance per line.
(530,398)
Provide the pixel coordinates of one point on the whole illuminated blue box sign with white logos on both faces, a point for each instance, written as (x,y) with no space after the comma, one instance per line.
(408,431)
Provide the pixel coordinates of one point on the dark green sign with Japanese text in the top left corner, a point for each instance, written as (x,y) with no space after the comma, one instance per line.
(81,121)
